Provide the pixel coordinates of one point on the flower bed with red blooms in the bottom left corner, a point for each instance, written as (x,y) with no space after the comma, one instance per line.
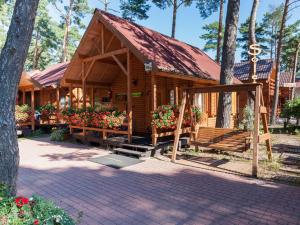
(31,211)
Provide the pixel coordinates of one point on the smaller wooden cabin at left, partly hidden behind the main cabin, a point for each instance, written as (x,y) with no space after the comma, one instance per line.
(38,88)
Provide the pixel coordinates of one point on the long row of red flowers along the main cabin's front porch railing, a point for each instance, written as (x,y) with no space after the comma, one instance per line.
(93,117)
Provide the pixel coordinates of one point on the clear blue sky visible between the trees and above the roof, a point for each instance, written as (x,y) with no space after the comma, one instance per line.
(189,22)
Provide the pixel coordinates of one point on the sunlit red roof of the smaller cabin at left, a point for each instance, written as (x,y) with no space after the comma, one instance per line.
(52,75)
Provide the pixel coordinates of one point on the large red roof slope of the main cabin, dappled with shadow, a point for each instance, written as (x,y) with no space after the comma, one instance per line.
(167,54)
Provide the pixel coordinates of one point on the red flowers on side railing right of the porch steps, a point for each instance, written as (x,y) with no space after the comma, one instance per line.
(165,117)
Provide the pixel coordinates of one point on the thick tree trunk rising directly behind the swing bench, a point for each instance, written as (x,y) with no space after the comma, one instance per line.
(228,58)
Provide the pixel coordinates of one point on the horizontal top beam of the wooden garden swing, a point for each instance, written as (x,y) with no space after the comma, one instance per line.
(227,88)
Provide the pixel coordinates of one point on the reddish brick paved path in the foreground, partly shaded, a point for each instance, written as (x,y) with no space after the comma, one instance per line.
(152,192)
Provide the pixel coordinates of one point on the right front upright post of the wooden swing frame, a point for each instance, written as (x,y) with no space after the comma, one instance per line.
(256,131)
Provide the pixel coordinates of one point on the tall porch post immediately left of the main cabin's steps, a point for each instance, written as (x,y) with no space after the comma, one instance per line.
(129,98)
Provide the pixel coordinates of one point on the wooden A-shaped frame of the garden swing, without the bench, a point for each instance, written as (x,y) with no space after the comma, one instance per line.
(260,112)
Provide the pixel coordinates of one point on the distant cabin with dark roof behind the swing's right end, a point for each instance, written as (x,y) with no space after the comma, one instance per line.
(265,75)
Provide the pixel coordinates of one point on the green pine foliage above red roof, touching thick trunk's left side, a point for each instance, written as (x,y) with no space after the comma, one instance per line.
(211,36)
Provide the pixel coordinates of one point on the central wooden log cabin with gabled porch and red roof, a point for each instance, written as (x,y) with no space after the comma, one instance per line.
(138,69)
